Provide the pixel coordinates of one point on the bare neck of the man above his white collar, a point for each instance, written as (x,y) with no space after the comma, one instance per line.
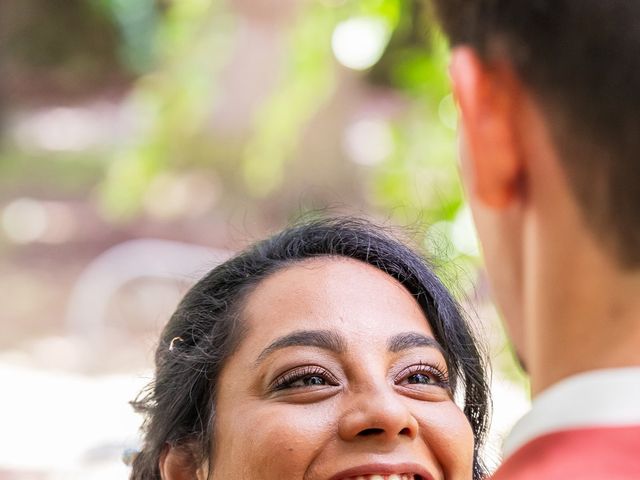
(584,315)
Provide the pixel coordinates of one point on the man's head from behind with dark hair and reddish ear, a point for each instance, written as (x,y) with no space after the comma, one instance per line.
(550,139)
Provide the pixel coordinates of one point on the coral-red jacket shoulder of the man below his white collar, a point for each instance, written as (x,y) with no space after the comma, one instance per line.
(611,453)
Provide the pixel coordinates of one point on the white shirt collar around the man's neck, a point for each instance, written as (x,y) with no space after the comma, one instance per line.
(592,399)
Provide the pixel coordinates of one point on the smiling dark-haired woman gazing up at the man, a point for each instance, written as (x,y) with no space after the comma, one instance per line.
(330,351)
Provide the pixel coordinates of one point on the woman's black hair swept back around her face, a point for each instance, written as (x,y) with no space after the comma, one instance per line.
(179,406)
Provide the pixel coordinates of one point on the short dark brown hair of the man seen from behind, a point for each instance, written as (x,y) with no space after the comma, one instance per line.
(581,59)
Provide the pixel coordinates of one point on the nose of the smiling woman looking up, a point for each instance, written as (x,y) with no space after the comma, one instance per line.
(379,413)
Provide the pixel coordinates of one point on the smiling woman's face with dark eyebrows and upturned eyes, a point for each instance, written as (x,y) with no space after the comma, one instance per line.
(339,377)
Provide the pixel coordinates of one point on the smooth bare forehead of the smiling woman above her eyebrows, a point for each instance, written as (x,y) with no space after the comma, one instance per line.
(357,300)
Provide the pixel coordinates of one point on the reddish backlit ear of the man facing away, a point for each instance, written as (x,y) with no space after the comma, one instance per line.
(487,97)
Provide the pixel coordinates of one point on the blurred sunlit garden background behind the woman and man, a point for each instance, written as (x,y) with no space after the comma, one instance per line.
(143,141)
